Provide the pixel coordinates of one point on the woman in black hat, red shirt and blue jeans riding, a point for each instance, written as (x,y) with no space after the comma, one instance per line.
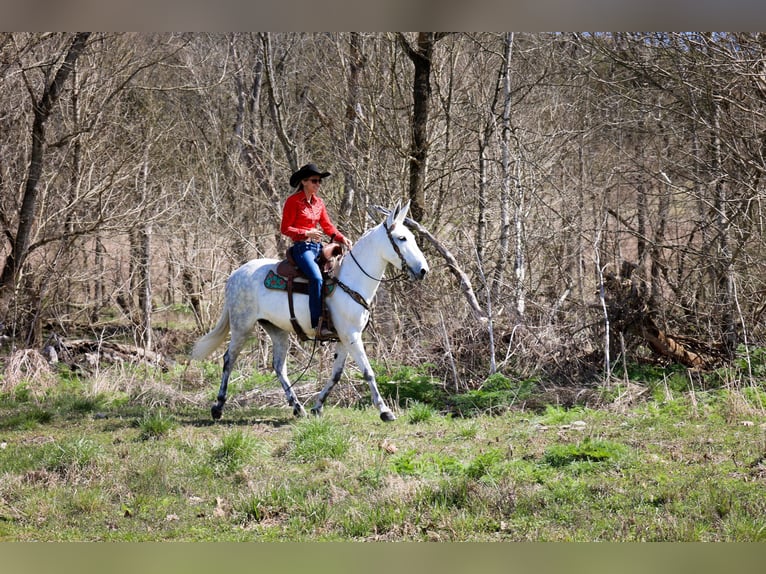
(304,218)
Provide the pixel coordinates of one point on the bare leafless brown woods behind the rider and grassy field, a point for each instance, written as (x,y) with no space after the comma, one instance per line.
(587,197)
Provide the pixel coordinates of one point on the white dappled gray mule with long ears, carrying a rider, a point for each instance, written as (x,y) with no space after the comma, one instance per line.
(248,301)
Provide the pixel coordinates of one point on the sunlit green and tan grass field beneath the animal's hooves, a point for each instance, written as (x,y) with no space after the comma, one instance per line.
(134,456)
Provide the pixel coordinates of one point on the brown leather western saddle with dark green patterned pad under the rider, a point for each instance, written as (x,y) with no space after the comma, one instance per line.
(288,277)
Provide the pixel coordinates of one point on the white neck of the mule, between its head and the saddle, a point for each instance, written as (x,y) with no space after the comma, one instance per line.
(367,253)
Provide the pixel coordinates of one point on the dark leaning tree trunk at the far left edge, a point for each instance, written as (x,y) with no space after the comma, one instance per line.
(42,111)
